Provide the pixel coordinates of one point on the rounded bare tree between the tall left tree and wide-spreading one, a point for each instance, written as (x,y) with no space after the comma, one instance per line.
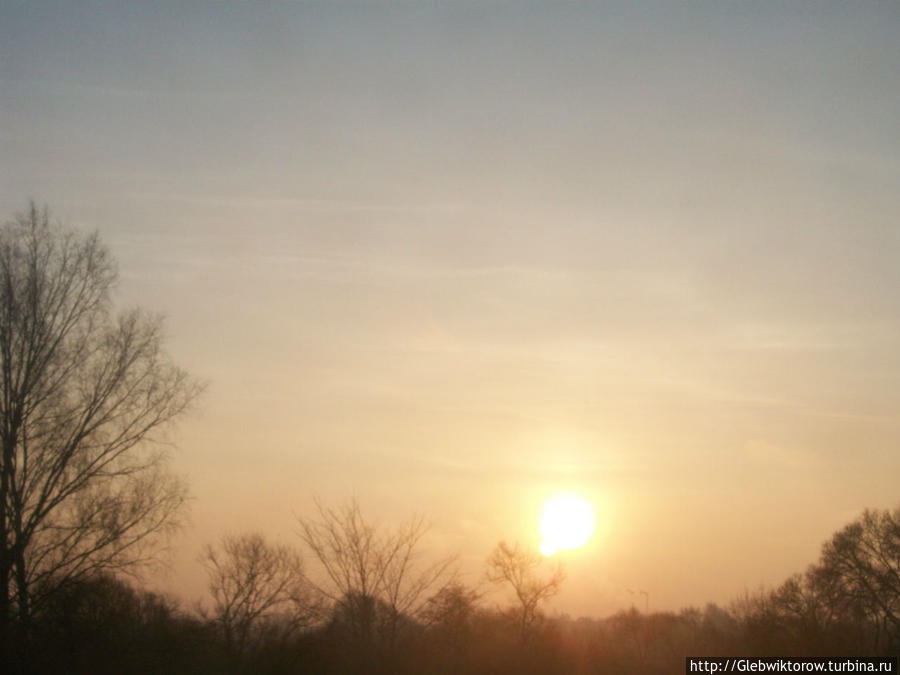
(254,582)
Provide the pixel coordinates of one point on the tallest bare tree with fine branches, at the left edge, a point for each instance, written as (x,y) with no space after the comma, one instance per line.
(81,391)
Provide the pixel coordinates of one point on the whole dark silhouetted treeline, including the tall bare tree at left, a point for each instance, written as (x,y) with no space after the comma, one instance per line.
(87,394)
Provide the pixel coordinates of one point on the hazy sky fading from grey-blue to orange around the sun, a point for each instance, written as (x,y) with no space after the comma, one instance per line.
(453,258)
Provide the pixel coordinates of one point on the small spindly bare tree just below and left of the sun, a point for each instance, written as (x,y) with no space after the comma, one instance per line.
(519,568)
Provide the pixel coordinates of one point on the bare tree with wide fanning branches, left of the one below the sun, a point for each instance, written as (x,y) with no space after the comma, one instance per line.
(373,576)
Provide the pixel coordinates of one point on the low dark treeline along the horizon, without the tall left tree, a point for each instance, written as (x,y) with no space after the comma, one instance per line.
(269,616)
